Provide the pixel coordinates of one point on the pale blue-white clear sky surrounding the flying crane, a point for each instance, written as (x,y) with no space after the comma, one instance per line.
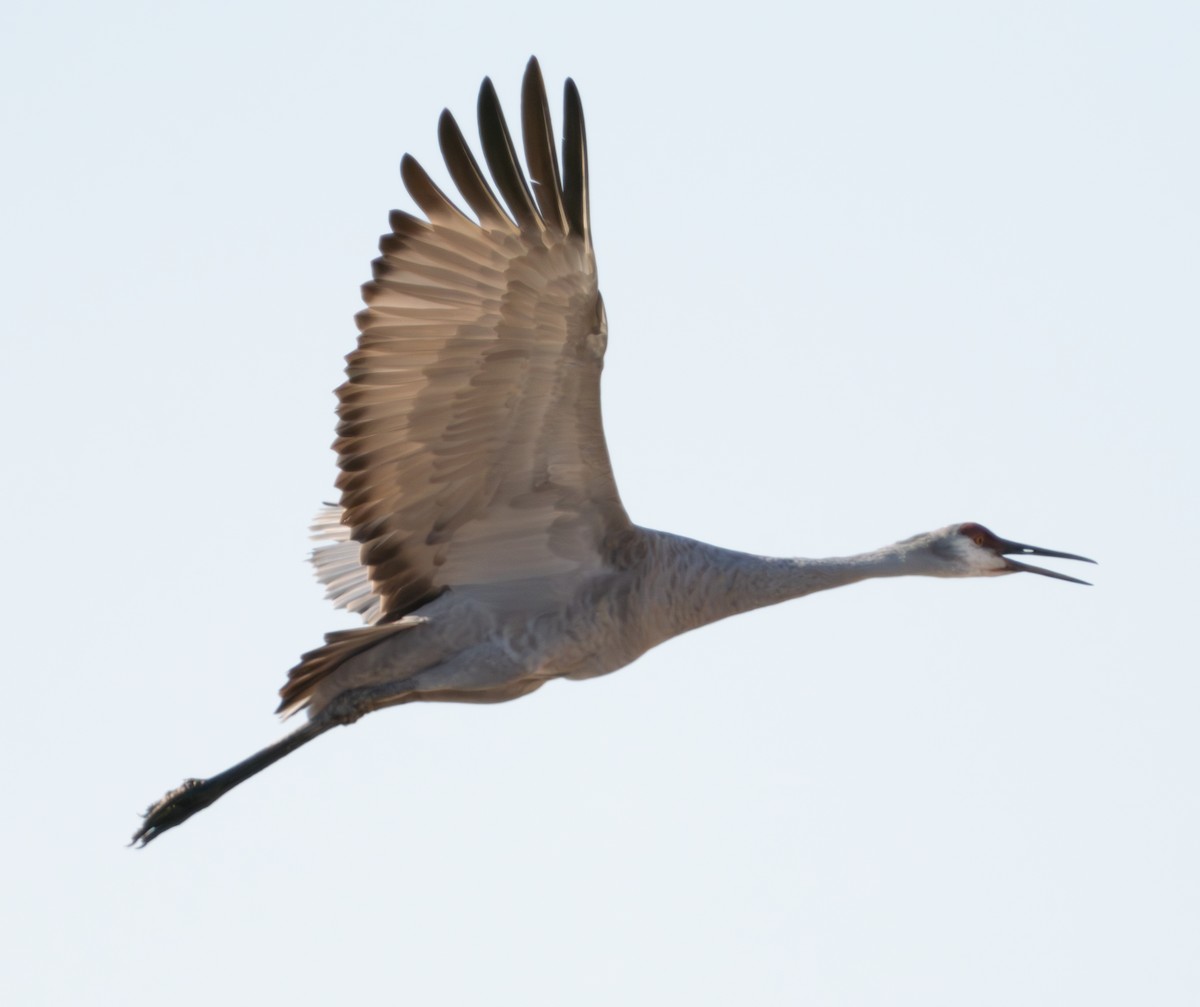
(869,269)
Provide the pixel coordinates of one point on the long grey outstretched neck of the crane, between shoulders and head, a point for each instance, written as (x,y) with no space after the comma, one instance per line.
(707,584)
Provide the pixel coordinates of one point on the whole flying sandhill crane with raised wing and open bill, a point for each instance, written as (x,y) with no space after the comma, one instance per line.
(479,534)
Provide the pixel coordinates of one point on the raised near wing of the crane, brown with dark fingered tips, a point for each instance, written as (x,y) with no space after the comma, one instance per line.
(471,445)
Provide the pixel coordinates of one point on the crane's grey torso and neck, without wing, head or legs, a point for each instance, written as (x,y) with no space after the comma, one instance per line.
(491,645)
